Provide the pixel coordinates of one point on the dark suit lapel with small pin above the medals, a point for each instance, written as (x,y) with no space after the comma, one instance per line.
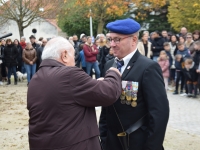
(130,64)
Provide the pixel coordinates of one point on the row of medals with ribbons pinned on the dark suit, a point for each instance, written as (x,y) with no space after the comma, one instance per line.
(129,93)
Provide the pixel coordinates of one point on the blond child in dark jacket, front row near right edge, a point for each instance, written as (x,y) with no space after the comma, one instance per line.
(191,77)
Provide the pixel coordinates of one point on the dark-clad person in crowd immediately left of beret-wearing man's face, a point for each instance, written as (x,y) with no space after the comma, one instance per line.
(104,51)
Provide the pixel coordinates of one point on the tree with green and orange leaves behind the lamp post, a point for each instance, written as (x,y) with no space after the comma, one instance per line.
(102,11)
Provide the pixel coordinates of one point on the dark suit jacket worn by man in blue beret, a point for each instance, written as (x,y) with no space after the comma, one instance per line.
(151,100)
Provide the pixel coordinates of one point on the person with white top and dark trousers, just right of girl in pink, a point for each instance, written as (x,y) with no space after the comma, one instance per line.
(173,51)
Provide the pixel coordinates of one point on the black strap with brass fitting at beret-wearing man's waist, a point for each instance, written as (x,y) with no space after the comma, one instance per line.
(124,136)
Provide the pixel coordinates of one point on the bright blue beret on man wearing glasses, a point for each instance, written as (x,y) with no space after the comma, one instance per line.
(125,26)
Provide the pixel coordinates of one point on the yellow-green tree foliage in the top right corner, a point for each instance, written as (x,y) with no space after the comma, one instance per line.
(184,13)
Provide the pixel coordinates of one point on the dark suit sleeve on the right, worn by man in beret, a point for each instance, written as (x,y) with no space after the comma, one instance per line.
(157,105)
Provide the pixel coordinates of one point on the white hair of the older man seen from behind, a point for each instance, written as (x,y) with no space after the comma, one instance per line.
(55,46)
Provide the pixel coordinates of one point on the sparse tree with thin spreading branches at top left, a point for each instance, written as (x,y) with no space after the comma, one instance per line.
(25,12)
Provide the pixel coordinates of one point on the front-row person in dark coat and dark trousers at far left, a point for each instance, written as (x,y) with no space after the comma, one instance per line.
(10,55)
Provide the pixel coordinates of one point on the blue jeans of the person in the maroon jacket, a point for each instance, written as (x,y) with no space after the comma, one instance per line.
(90,65)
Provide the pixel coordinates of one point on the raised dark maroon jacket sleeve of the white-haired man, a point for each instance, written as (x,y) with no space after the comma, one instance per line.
(91,92)
